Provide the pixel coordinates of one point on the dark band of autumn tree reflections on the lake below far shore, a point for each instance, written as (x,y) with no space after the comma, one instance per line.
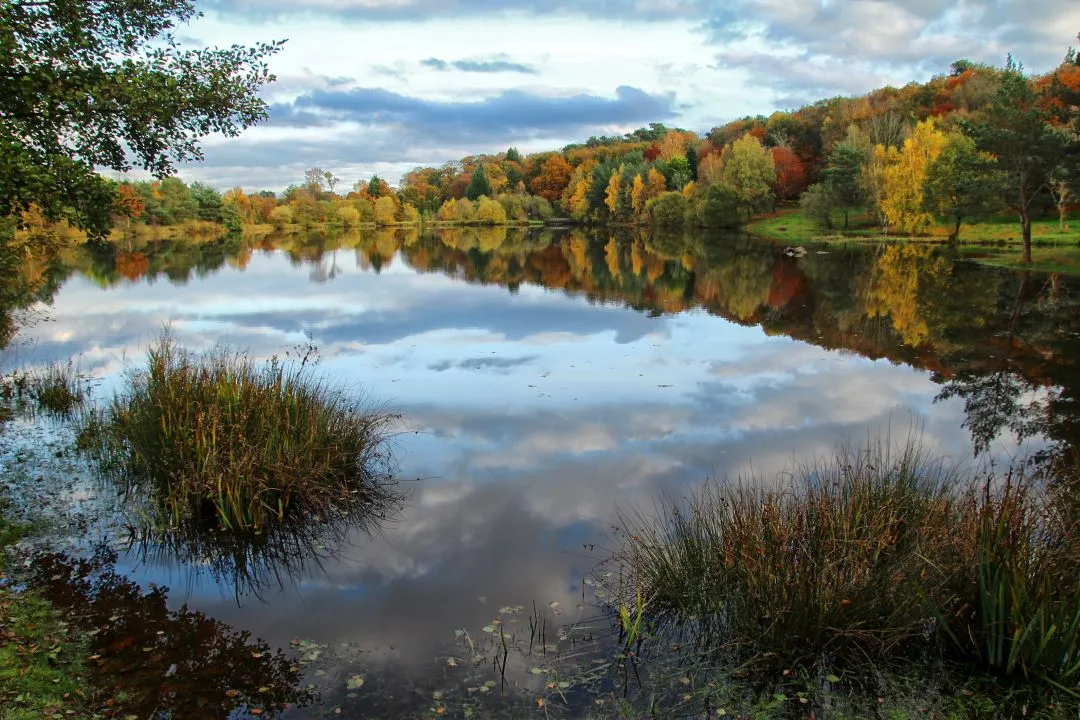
(908,304)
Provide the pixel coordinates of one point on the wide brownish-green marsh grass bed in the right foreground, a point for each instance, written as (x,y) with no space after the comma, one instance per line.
(875,558)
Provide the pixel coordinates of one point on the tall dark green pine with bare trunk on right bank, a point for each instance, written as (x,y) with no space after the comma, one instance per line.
(1016,130)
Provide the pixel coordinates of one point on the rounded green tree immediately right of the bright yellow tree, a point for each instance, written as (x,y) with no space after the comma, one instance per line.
(962,184)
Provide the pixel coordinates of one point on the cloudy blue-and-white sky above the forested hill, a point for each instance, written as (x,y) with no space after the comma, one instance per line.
(381,87)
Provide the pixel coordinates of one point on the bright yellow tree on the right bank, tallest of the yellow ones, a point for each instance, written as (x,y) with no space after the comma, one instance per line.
(902,205)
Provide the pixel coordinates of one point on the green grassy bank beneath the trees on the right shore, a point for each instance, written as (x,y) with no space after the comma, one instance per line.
(996,242)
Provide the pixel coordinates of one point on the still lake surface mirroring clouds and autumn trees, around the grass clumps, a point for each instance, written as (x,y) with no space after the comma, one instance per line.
(548,382)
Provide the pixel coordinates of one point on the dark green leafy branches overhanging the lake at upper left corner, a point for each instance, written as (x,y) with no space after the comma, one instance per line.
(105,84)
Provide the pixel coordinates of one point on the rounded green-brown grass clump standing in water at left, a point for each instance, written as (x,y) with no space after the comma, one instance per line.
(221,441)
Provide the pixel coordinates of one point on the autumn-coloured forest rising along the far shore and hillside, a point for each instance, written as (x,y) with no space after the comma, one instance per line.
(975,142)
